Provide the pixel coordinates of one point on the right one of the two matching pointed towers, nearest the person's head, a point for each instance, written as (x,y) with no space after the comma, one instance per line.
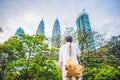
(56,34)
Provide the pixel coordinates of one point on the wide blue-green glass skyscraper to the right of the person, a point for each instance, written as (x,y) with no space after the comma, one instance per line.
(85,34)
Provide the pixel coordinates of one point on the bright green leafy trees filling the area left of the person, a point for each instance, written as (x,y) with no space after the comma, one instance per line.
(29,58)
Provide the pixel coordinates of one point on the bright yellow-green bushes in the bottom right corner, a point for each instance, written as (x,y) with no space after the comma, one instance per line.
(102,72)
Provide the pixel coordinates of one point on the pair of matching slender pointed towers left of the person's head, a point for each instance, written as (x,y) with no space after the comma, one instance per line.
(56,32)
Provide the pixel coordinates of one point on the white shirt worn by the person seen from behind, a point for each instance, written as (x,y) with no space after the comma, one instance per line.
(64,54)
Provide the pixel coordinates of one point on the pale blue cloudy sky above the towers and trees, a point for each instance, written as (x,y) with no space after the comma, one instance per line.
(104,15)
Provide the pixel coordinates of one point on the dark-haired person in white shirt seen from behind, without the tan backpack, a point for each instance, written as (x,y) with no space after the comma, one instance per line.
(64,56)
